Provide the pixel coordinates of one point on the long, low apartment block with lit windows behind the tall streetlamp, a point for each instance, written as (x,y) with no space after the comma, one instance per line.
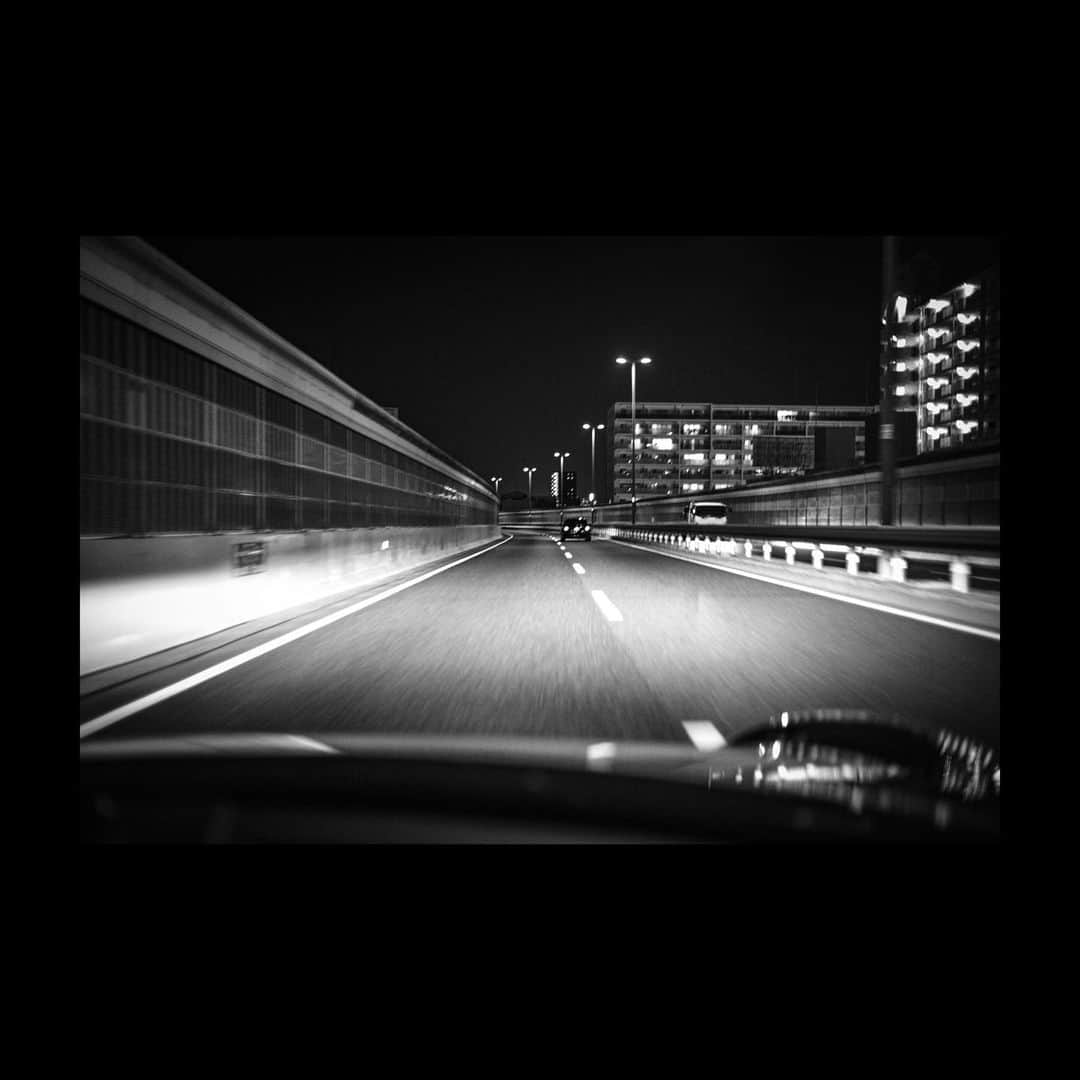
(684,449)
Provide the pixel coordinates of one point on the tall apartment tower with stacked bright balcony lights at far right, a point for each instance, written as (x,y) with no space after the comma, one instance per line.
(942,357)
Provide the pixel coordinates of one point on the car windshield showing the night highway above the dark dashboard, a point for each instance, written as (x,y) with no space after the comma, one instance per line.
(344,515)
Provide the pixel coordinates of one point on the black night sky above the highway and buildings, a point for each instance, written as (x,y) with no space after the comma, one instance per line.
(498,349)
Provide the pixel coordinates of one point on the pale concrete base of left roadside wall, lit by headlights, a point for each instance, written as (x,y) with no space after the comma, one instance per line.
(141,596)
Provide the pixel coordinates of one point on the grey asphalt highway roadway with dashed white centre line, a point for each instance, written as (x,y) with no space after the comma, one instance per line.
(515,642)
